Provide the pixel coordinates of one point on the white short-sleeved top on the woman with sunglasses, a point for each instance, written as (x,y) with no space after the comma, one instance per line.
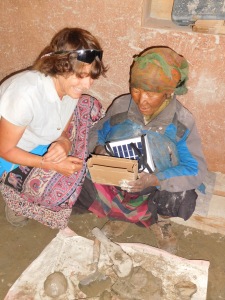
(30,99)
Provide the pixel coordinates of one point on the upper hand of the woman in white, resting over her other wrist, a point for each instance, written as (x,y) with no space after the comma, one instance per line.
(58,151)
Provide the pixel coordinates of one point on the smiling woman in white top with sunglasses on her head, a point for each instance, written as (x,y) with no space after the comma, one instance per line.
(44,126)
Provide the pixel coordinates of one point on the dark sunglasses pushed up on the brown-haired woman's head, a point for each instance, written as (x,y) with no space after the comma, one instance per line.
(84,55)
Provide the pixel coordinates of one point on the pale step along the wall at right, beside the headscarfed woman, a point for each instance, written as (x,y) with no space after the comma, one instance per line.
(209,215)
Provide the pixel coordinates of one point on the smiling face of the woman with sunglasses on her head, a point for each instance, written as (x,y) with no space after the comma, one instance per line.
(72,85)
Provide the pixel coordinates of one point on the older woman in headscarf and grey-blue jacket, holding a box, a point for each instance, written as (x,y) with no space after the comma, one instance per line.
(157,75)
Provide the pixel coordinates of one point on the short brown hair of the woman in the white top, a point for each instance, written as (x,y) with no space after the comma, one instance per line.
(66,63)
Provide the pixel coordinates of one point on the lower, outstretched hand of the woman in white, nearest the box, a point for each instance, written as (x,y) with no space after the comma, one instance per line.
(69,166)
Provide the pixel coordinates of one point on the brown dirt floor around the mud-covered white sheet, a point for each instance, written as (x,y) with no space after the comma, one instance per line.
(20,246)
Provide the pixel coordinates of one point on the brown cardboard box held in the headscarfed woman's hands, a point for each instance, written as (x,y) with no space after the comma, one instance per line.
(112,170)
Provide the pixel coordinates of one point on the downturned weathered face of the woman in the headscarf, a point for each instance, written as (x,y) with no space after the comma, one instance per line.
(147,102)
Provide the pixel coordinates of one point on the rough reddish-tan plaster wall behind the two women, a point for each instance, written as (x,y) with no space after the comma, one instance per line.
(26,26)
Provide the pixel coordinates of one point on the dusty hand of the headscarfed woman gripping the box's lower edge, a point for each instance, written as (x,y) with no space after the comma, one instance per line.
(144,181)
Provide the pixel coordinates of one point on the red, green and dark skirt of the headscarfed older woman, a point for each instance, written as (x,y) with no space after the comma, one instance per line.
(139,208)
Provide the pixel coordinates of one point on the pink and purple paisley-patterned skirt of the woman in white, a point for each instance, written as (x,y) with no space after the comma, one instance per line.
(45,195)
